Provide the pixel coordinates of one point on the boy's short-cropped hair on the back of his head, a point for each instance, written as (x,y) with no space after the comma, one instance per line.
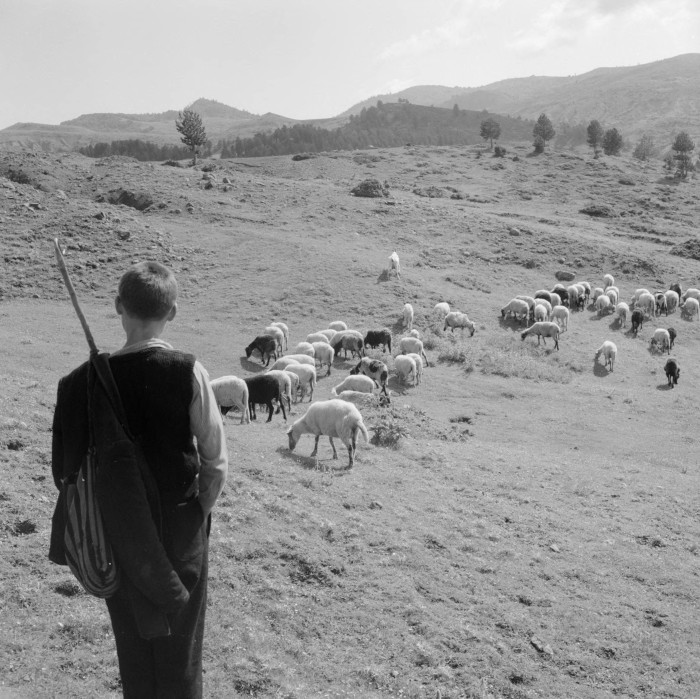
(148,290)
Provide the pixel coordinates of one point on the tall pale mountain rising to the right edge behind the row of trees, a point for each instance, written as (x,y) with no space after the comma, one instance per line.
(660,98)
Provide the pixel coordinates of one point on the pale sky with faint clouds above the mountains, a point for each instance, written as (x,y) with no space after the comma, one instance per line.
(308,59)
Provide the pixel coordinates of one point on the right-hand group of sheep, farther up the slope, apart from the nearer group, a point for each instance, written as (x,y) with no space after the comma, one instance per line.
(549,312)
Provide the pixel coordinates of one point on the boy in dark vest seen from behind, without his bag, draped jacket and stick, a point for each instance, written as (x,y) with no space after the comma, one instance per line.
(172,413)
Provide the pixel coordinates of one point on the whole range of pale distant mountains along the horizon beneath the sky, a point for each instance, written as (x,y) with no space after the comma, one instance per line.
(659,99)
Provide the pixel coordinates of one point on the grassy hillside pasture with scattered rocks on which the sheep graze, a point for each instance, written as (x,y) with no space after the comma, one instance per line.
(524,523)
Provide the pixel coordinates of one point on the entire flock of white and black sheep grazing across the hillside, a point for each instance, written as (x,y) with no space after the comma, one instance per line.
(294,376)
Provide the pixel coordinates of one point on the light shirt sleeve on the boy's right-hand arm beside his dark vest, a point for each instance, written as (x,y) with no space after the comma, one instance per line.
(208,429)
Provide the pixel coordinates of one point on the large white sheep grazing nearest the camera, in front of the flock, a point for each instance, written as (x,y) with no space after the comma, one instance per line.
(333,418)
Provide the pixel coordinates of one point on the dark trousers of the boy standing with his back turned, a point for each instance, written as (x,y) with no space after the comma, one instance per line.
(168,667)
